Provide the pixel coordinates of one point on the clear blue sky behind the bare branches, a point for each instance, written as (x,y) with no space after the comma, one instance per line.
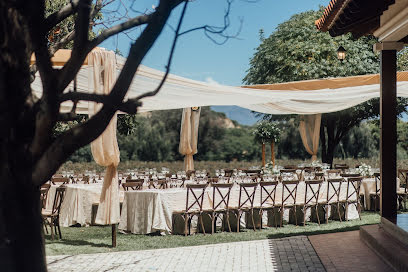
(196,56)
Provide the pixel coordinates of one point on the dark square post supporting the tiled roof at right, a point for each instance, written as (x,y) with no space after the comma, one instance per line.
(388,138)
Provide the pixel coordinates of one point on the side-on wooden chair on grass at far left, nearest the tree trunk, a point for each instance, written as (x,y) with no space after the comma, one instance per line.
(52,217)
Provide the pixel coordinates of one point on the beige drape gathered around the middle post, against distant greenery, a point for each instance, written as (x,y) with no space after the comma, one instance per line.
(189,136)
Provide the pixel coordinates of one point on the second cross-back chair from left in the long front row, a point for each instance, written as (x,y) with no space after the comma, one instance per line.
(220,203)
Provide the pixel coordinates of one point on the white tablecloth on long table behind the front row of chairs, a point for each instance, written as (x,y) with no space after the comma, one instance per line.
(149,211)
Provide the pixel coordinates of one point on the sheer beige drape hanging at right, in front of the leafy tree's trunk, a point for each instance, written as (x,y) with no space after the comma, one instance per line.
(309,128)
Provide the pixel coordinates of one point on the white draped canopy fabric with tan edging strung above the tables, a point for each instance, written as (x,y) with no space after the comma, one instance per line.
(301,97)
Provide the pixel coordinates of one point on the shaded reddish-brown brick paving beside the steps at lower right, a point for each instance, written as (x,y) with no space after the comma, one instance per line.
(344,251)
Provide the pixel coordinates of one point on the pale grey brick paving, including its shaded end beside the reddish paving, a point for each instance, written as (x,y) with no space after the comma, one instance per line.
(287,254)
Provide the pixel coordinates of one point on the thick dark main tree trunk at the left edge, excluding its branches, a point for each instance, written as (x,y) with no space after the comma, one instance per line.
(21,236)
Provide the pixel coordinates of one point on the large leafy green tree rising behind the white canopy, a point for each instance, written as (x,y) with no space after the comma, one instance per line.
(297,51)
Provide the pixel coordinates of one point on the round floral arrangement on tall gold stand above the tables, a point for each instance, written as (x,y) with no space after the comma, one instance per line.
(267,132)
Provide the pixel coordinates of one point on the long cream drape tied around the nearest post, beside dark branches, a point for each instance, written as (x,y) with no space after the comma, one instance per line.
(105,148)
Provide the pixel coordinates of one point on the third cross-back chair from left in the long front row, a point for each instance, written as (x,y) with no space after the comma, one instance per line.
(246,201)
